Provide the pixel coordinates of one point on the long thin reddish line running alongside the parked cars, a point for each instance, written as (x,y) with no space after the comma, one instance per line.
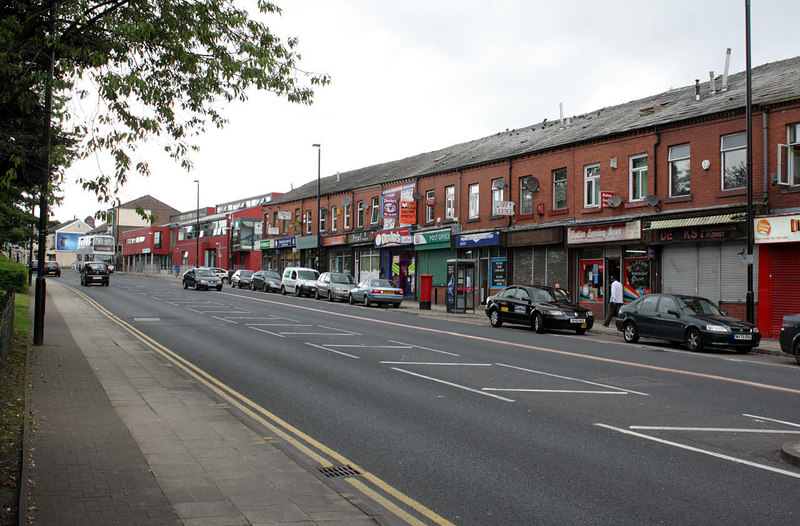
(705,376)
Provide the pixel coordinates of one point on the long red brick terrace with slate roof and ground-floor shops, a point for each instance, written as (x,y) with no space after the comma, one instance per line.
(653,191)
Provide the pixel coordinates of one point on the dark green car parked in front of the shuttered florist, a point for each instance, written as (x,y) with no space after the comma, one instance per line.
(697,322)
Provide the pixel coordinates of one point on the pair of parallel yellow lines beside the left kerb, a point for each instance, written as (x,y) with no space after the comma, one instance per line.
(280,427)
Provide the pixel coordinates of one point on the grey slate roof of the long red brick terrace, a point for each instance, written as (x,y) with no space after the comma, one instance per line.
(772,83)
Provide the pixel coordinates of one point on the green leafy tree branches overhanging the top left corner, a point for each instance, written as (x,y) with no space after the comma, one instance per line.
(160,68)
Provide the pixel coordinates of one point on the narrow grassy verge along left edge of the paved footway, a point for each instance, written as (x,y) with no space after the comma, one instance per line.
(12,412)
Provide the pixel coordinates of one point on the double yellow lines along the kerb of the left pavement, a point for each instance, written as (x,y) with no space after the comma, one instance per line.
(313,449)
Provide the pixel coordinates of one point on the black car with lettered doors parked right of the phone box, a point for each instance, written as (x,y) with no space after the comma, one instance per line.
(541,308)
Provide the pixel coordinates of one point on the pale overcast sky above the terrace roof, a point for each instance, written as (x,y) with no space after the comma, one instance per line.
(413,76)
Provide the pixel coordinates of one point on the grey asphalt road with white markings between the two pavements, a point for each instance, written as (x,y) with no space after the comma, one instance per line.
(496,426)
